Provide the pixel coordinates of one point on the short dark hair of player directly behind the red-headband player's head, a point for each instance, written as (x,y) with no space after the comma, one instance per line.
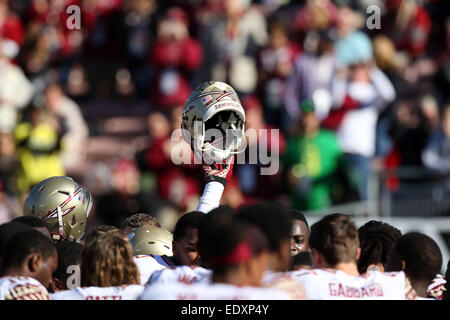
(273,220)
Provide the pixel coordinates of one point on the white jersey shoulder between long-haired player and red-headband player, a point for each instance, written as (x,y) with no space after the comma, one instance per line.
(184,274)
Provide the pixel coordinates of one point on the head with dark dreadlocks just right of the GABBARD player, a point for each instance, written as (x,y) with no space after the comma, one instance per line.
(375,240)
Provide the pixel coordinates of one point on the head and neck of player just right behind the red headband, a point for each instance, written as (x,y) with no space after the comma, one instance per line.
(275,222)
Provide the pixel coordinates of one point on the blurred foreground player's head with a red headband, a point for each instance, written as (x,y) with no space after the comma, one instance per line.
(236,252)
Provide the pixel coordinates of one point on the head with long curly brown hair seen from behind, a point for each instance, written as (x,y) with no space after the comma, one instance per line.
(107,261)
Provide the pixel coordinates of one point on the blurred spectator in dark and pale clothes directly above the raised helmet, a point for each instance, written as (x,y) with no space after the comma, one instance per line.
(231,42)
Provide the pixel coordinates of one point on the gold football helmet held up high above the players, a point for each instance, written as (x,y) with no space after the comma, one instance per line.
(214,121)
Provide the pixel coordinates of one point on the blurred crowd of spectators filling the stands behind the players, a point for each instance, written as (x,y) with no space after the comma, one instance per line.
(348,96)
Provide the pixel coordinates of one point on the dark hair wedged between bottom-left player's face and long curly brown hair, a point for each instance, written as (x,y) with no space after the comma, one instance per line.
(69,253)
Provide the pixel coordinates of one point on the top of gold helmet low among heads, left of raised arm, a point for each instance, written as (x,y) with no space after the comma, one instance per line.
(151,240)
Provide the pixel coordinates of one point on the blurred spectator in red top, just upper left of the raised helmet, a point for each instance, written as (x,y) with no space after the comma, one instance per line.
(175,55)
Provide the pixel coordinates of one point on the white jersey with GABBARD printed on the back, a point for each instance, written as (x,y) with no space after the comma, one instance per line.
(331,284)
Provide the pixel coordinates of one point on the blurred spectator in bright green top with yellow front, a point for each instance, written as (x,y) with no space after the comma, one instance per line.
(311,162)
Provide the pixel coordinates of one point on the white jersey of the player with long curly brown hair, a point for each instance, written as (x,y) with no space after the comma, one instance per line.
(130,292)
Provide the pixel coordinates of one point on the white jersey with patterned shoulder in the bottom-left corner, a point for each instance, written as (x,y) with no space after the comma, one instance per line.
(22,288)
